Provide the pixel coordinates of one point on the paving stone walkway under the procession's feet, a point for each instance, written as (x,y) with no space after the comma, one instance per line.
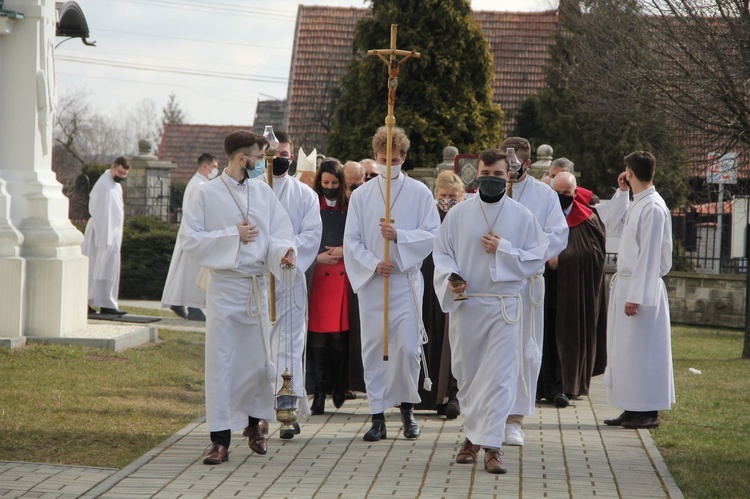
(568,453)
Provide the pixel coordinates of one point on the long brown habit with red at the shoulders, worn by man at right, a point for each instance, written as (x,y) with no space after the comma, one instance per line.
(575,319)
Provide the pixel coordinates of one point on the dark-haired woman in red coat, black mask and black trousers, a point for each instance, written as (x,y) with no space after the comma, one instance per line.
(328,323)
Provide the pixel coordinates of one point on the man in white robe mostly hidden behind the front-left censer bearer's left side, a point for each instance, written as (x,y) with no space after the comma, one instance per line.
(180,288)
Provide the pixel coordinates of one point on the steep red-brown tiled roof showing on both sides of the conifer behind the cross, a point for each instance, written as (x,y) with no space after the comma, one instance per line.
(518,41)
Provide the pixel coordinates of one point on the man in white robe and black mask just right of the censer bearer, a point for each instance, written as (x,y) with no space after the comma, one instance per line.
(302,206)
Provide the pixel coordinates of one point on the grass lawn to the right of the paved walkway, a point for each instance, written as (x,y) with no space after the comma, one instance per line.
(705,438)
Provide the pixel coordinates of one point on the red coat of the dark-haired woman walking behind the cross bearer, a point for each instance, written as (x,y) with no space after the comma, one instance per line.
(329,295)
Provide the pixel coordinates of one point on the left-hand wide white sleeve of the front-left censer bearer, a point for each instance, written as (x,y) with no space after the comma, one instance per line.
(216,249)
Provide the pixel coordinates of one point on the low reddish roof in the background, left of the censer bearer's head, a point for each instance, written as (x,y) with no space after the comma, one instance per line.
(182,144)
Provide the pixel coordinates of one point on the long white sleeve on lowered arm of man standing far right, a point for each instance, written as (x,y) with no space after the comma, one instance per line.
(650,239)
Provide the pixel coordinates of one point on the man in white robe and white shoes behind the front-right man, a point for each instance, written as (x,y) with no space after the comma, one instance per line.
(544,204)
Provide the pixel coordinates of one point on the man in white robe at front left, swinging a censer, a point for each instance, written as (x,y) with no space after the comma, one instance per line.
(237,229)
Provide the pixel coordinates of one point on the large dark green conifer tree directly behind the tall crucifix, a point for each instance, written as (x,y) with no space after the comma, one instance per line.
(443,98)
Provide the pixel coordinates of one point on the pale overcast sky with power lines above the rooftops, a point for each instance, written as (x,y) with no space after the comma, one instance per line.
(218,57)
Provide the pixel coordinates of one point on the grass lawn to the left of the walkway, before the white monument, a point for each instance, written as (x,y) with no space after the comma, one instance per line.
(92,407)
